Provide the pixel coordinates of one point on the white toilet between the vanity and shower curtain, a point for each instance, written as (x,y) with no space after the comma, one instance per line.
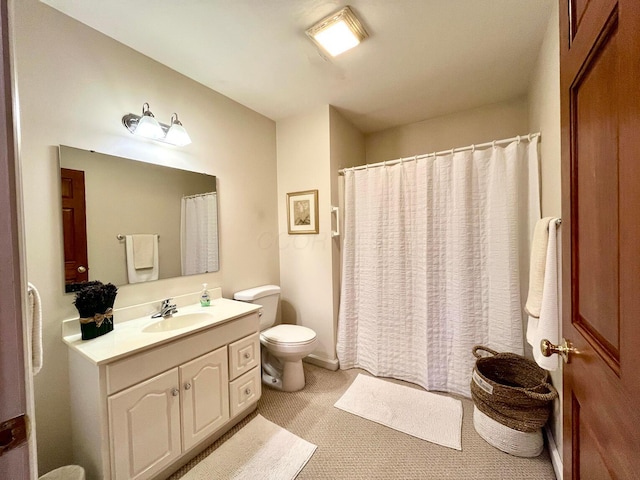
(283,346)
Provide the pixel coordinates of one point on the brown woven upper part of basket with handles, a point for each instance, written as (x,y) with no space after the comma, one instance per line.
(511,389)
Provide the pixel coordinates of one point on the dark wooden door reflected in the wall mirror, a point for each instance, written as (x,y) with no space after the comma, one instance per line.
(74,228)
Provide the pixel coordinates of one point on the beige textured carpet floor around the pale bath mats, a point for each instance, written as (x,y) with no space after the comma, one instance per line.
(352,448)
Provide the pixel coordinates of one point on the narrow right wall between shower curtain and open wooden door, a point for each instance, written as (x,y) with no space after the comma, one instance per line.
(544,116)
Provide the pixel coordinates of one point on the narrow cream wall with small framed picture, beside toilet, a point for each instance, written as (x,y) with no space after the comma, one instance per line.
(305,260)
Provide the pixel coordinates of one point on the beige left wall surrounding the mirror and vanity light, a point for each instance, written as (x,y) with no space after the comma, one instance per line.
(74,86)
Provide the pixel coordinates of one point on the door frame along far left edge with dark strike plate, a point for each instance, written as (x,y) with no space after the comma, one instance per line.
(17,459)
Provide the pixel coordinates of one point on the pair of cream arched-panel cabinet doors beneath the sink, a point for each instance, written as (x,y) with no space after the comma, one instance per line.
(148,420)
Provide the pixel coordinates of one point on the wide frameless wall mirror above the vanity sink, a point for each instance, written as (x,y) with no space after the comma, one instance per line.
(110,206)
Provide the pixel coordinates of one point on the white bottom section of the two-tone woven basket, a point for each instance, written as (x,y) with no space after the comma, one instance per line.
(514,442)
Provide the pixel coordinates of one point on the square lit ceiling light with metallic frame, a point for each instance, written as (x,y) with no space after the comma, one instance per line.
(338,32)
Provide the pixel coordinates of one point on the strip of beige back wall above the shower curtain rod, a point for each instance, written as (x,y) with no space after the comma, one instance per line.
(479,125)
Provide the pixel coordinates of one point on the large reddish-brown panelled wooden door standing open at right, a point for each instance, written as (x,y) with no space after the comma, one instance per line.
(600,89)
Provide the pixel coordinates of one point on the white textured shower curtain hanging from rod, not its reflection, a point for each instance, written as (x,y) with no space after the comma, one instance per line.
(435,260)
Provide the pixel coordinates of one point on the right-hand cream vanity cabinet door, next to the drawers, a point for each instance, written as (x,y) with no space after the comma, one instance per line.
(205,397)
